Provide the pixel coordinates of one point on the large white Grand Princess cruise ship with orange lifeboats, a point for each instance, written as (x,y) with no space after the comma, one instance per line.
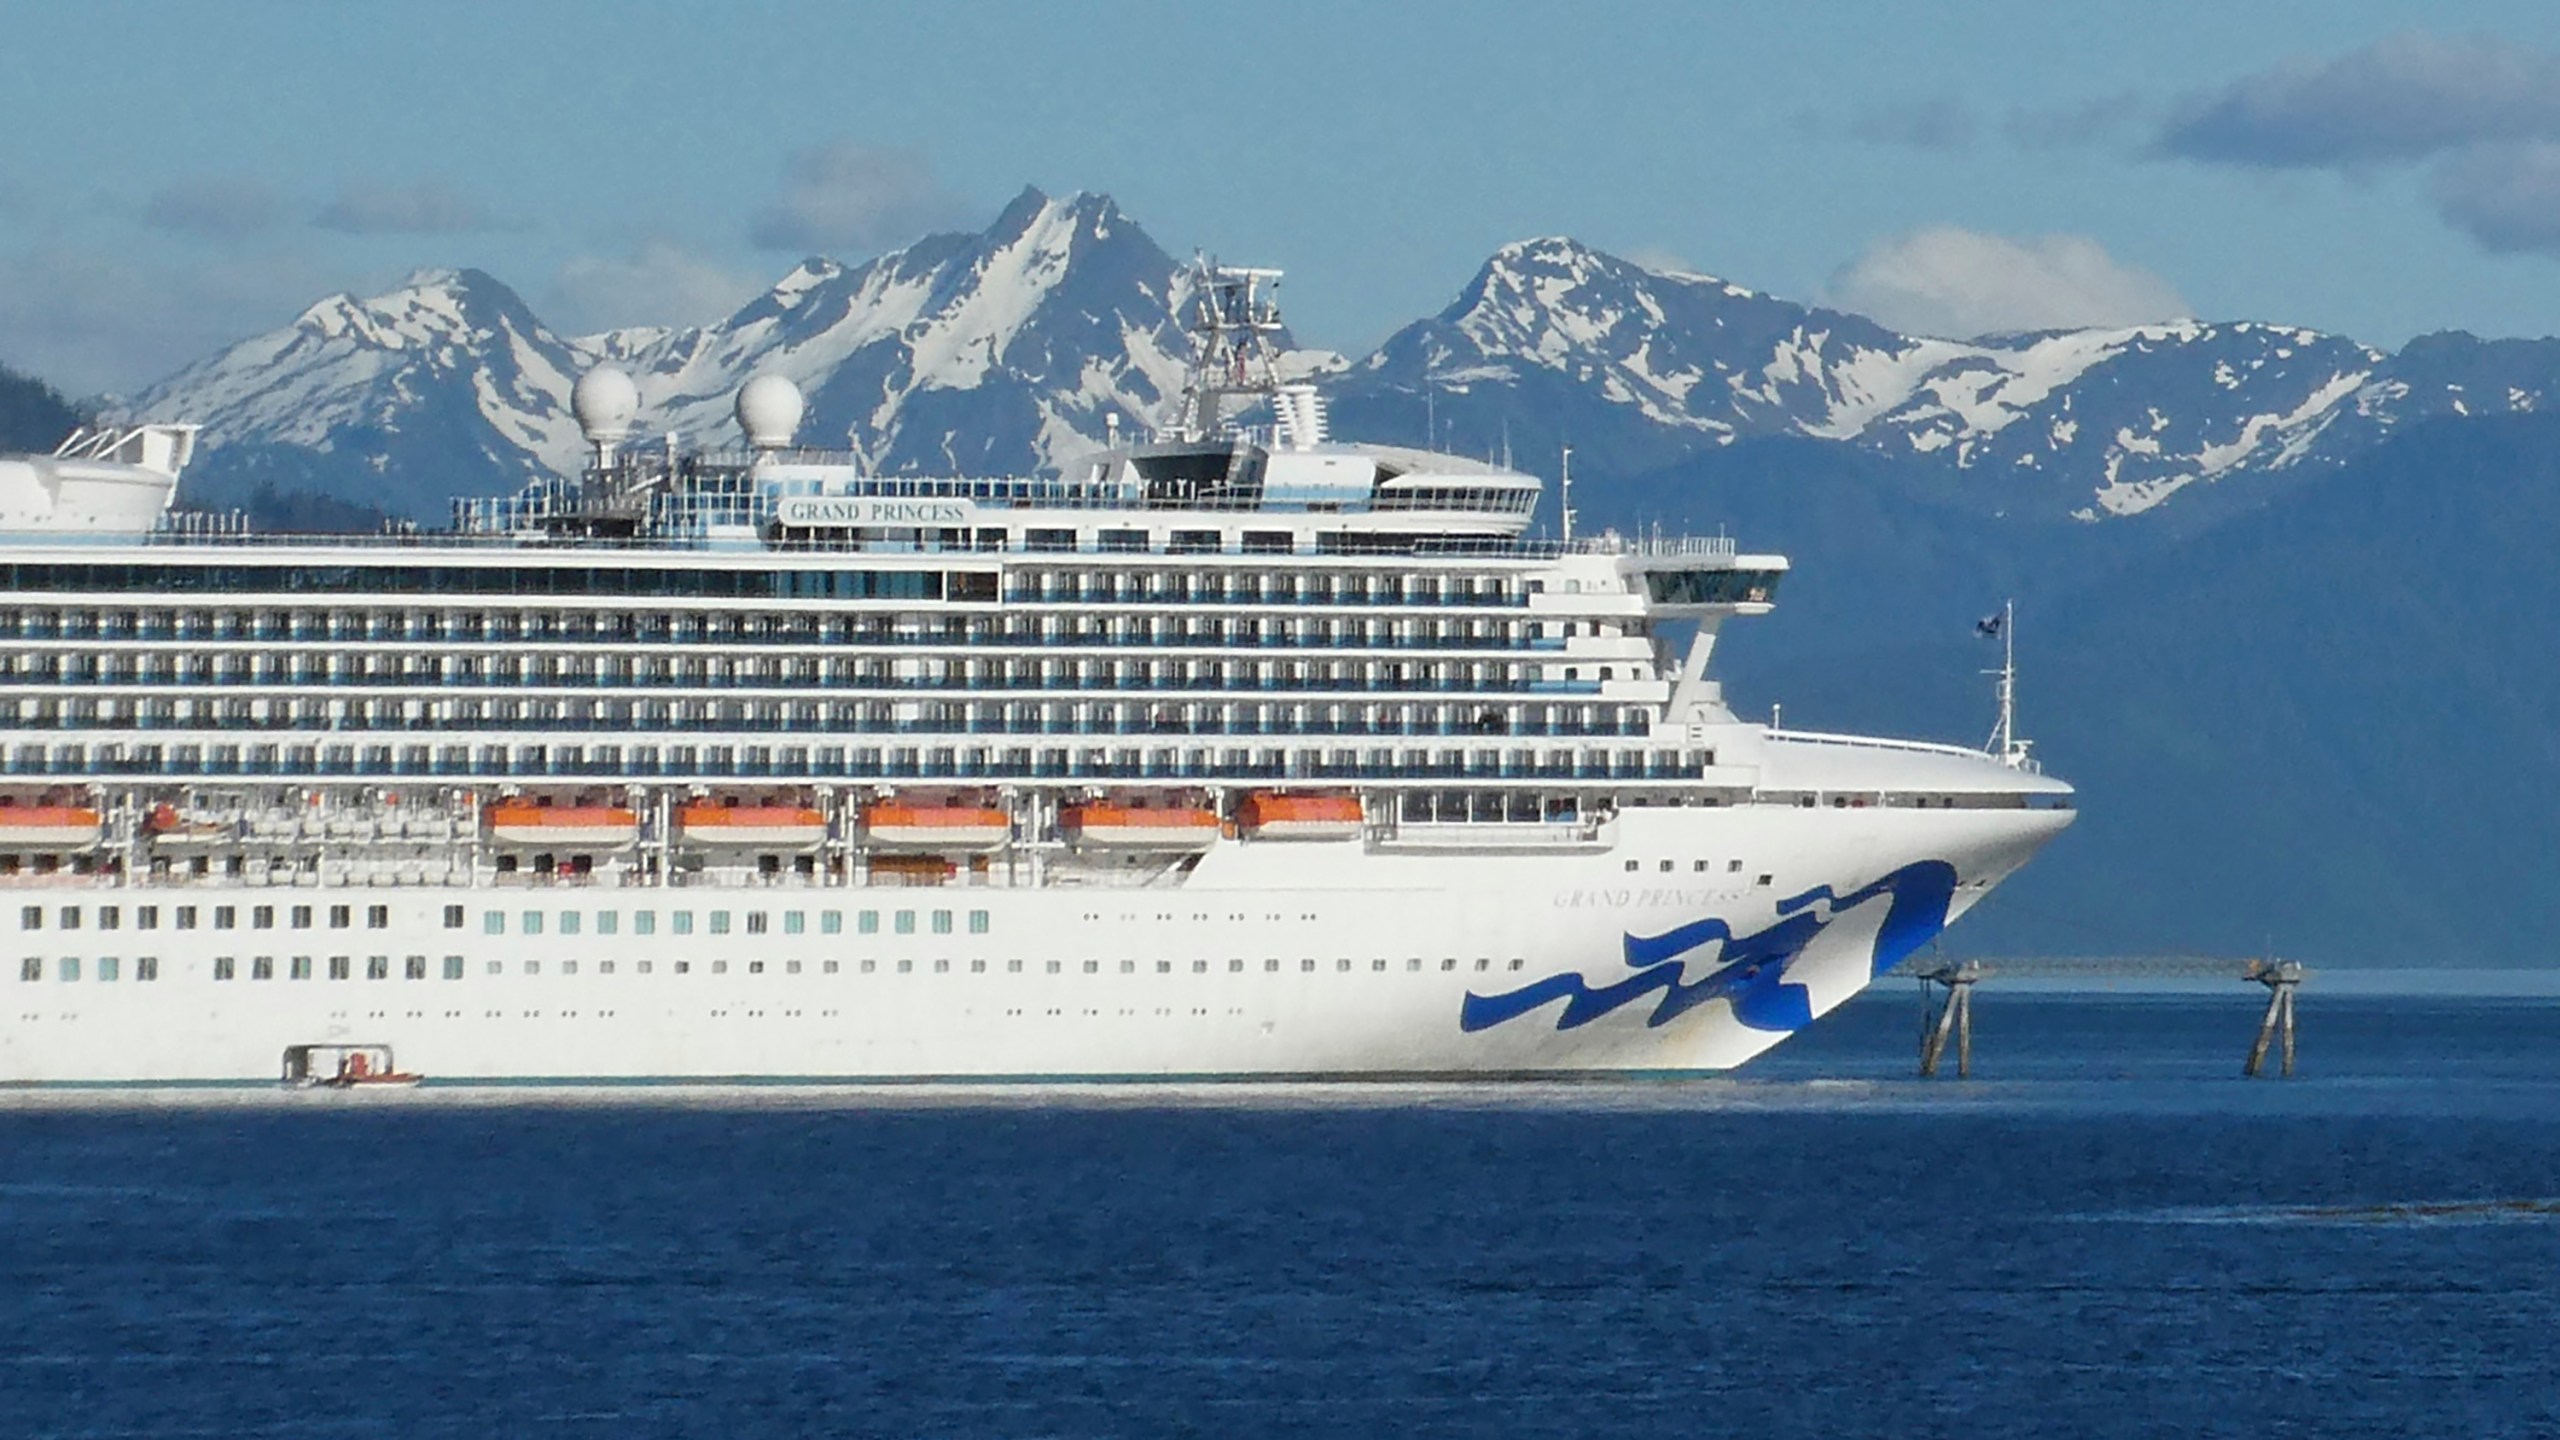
(1230,752)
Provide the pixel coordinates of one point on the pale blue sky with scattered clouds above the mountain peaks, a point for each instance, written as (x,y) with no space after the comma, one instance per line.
(183,176)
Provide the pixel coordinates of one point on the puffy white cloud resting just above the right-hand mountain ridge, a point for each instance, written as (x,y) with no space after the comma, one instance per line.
(1965,283)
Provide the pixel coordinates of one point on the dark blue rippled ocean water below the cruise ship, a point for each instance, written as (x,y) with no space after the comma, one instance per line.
(2106,1234)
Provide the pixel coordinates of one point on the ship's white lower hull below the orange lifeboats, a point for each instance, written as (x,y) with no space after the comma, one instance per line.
(1274,960)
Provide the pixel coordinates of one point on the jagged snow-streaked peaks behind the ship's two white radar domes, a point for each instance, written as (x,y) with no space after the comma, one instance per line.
(995,352)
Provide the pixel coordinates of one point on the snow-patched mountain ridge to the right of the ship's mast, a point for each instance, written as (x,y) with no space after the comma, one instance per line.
(1573,345)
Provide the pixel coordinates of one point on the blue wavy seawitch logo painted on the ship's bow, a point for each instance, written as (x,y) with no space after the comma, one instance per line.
(1750,970)
